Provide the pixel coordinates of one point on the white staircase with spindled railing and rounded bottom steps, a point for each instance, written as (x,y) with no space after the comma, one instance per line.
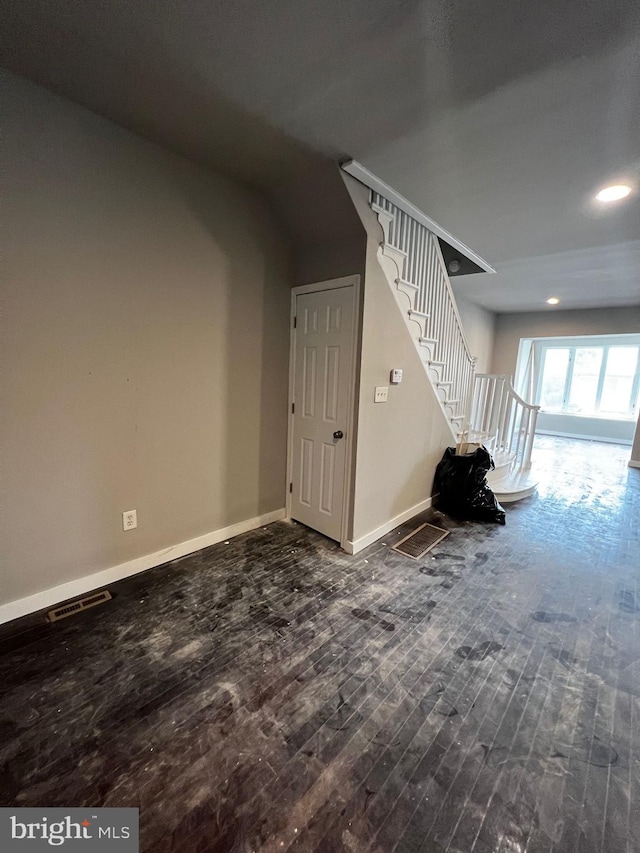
(480,409)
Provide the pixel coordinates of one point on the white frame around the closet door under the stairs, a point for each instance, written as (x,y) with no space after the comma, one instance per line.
(331,284)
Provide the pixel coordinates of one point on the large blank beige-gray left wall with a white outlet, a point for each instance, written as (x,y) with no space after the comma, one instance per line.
(145,346)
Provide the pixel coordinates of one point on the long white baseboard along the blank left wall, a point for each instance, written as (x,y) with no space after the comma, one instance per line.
(57,594)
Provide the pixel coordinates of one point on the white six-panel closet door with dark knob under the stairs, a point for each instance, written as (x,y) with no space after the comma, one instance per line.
(323,353)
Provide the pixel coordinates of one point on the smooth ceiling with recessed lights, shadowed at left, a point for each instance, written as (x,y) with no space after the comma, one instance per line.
(498,119)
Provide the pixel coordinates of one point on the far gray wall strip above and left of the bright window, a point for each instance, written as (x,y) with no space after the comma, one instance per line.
(510,328)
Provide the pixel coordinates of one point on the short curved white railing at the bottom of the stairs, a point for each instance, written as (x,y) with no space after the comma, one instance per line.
(498,410)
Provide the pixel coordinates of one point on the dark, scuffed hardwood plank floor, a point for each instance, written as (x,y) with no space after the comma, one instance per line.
(273,693)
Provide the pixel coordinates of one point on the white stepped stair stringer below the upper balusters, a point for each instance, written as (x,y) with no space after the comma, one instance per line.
(391,262)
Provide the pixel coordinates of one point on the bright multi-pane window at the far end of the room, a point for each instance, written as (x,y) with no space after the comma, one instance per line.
(593,380)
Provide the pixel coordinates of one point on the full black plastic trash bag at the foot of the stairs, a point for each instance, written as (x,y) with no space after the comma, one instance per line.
(462,488)
